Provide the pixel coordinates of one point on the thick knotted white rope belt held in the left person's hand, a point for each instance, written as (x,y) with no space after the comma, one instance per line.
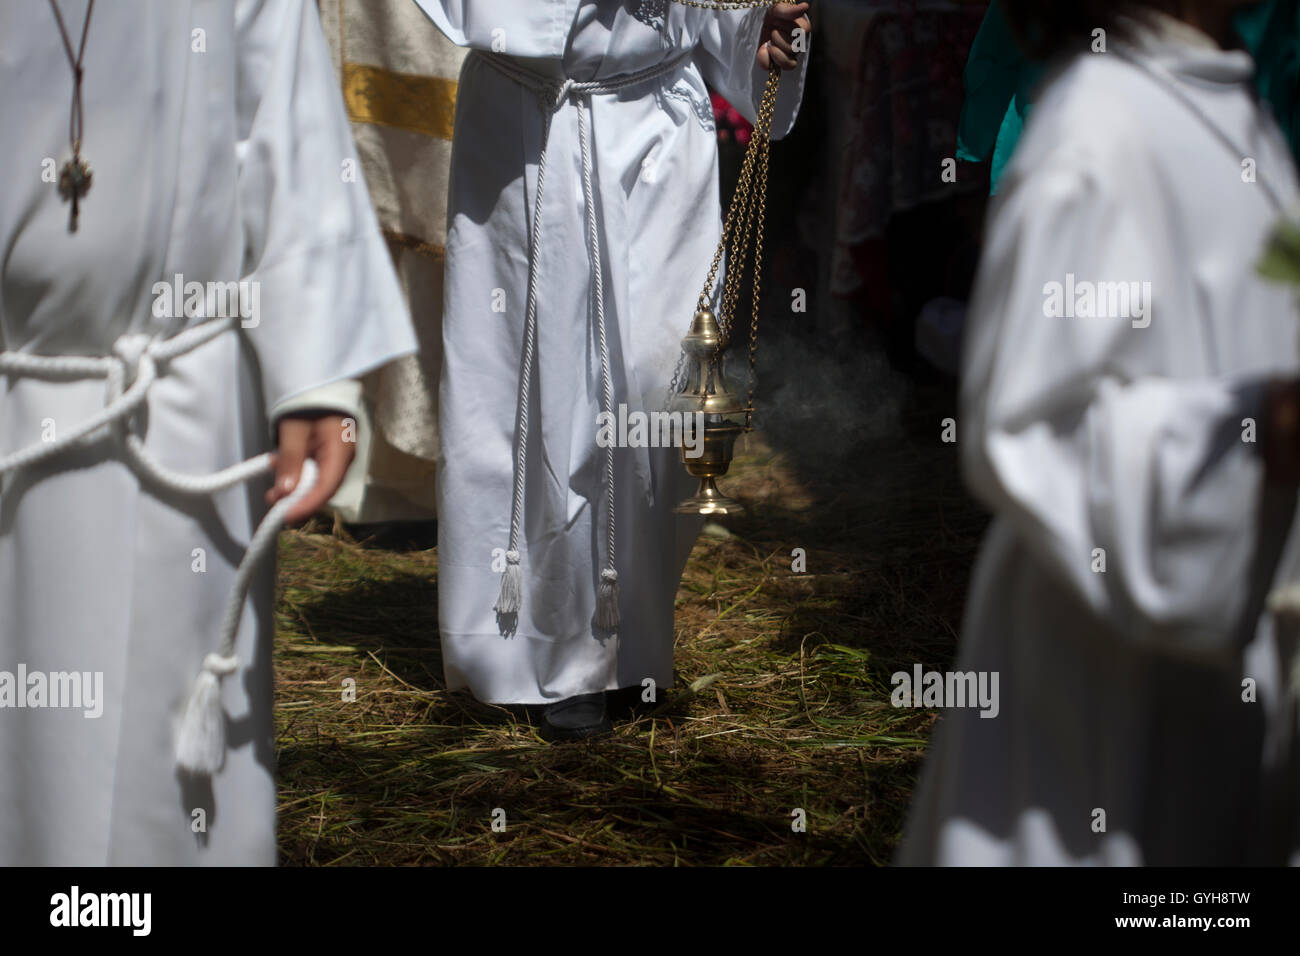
(133,367)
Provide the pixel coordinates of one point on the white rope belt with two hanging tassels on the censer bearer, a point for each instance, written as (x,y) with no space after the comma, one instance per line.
(553,96)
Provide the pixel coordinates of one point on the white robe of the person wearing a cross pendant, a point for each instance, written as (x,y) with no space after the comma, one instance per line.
(216,165)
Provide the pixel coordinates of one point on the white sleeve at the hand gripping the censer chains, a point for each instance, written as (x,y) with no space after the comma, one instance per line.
(729,50)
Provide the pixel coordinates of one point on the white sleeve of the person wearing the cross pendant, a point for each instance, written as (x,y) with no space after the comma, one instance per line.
(331,306)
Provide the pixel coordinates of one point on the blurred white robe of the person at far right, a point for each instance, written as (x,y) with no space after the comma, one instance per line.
(1123,736)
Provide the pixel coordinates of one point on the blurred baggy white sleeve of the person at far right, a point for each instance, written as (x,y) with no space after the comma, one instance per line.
(1069,435)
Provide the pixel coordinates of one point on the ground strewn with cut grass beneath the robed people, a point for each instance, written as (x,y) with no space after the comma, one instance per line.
(782,699)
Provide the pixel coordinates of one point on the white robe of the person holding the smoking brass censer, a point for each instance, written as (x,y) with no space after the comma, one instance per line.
(656,170)
